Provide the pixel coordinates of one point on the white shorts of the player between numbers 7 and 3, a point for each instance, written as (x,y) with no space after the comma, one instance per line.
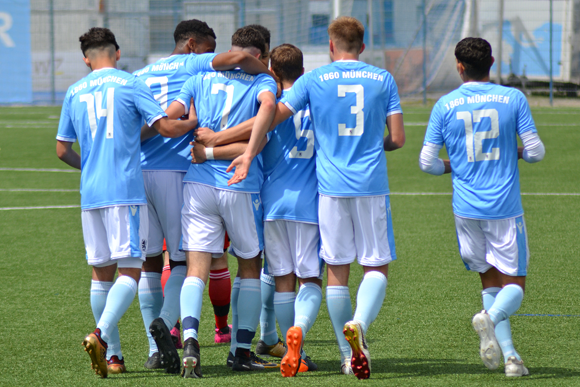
(292,247)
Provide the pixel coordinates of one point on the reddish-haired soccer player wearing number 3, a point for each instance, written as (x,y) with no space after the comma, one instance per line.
(350,102)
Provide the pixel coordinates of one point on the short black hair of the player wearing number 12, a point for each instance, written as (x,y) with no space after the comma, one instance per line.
(475,55)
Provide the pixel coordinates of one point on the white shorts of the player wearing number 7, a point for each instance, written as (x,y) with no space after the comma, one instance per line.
(208,212)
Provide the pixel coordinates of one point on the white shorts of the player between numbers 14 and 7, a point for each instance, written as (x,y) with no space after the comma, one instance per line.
(164,191)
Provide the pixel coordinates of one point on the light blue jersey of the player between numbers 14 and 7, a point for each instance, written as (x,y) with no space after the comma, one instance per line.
(165,78)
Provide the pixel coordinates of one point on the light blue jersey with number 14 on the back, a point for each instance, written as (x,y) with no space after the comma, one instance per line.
(105,111)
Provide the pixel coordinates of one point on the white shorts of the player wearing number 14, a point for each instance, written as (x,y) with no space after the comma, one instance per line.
(113,233)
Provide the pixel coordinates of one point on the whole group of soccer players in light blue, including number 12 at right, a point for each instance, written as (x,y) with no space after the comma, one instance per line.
(289,171)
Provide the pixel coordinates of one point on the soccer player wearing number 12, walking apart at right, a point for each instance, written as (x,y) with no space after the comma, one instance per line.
(479,123)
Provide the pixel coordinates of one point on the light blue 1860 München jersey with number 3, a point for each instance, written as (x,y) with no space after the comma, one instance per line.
(349,104)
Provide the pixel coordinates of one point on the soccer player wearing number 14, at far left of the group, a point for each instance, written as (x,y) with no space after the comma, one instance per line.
(104,111)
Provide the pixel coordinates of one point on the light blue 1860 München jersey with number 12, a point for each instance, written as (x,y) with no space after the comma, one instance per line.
(478,124)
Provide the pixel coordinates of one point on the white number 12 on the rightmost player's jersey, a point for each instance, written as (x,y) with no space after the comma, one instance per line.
(474,142)
